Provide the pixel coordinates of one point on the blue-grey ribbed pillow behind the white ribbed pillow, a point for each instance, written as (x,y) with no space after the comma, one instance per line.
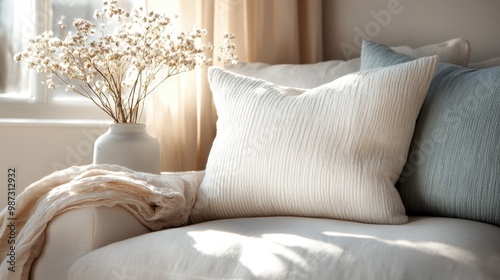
(453,165)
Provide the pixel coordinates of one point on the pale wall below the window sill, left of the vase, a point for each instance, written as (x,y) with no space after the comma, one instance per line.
(36,149)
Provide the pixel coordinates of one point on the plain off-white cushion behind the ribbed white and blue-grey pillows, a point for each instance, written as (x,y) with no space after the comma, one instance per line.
(454,51)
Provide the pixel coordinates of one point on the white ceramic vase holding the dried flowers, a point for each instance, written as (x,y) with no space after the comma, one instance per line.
(128,145)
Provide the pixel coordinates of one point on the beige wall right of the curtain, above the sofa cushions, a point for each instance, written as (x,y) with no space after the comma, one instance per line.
(410,22)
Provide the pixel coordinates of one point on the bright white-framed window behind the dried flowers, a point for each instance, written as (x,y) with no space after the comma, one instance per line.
(21,93)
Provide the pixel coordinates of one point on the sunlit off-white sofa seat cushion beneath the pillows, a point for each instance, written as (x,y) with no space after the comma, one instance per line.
(302,248)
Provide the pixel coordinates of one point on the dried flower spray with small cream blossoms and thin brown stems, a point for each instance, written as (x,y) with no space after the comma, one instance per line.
(117,70)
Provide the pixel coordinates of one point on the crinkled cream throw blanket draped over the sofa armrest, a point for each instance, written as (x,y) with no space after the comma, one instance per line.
(158,201)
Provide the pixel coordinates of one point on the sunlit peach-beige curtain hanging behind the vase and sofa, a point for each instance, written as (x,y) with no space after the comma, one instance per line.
(181,114)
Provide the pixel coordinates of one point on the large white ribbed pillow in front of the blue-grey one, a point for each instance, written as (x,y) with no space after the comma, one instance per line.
(334,151)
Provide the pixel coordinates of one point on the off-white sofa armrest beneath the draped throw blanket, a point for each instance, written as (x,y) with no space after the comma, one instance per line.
(77,232)
